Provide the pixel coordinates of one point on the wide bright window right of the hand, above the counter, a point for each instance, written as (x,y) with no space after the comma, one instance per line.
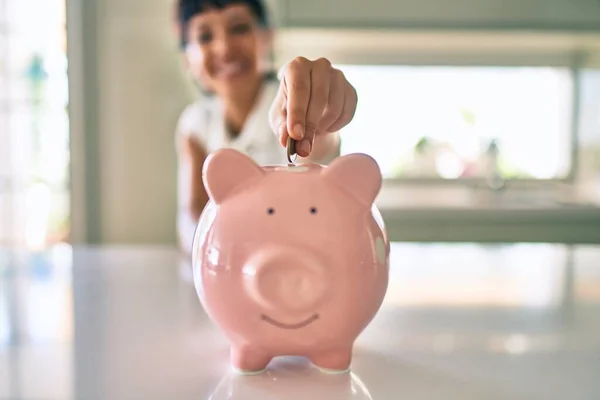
(452,122)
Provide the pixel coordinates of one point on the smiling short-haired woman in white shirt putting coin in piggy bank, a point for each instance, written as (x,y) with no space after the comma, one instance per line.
(227,45)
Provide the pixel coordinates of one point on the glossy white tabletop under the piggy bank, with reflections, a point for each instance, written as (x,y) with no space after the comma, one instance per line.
(460,321)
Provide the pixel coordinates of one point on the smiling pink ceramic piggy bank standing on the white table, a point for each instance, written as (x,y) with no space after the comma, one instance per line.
(291,260)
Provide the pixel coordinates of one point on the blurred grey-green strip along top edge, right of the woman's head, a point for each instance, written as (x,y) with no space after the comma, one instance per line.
(435,14)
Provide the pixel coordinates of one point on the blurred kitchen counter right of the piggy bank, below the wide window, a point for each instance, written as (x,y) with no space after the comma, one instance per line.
(457,213)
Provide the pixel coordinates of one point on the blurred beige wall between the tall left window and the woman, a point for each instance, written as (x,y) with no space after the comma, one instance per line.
(127,90)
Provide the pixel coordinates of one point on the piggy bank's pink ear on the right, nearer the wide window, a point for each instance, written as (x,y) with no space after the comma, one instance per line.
(359,174)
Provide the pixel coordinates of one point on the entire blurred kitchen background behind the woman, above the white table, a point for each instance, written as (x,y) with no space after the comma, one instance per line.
(483,114)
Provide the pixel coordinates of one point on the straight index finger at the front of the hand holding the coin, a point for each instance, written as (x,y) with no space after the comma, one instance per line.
(297,85)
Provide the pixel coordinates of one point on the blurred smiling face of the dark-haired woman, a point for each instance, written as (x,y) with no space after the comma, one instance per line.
(225,48)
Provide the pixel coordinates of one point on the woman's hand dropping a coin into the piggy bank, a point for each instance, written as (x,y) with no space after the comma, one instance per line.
(314,98)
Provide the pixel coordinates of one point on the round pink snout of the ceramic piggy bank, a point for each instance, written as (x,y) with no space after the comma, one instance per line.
(286,280)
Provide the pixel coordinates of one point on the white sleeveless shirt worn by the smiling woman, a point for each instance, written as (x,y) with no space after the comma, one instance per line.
(204,121)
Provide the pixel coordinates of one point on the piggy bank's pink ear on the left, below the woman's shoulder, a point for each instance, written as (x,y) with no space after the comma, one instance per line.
(226,171)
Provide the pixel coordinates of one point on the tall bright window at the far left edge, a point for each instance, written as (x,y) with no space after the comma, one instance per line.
(34,128)
